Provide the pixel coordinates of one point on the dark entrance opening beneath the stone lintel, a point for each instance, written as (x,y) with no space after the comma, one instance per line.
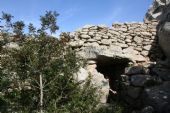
(112,68)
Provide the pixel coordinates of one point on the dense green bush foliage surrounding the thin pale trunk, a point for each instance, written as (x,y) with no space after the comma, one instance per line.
(57,64)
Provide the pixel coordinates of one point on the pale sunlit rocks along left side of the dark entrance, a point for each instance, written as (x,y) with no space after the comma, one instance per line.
(97,79)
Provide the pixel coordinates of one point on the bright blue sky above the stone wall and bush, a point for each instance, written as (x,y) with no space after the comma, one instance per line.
(76,13)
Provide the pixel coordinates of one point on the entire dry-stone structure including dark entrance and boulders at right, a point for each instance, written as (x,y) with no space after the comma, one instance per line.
(131,54)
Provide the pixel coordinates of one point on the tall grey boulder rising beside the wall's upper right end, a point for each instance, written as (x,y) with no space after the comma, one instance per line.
(160,10)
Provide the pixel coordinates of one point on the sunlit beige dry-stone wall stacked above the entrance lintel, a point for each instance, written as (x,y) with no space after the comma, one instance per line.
(128,38)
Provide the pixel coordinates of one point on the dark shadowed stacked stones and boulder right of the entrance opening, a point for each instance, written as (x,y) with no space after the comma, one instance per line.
(141,89)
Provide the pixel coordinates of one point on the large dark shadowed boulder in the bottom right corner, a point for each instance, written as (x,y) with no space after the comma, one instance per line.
(158,97)
